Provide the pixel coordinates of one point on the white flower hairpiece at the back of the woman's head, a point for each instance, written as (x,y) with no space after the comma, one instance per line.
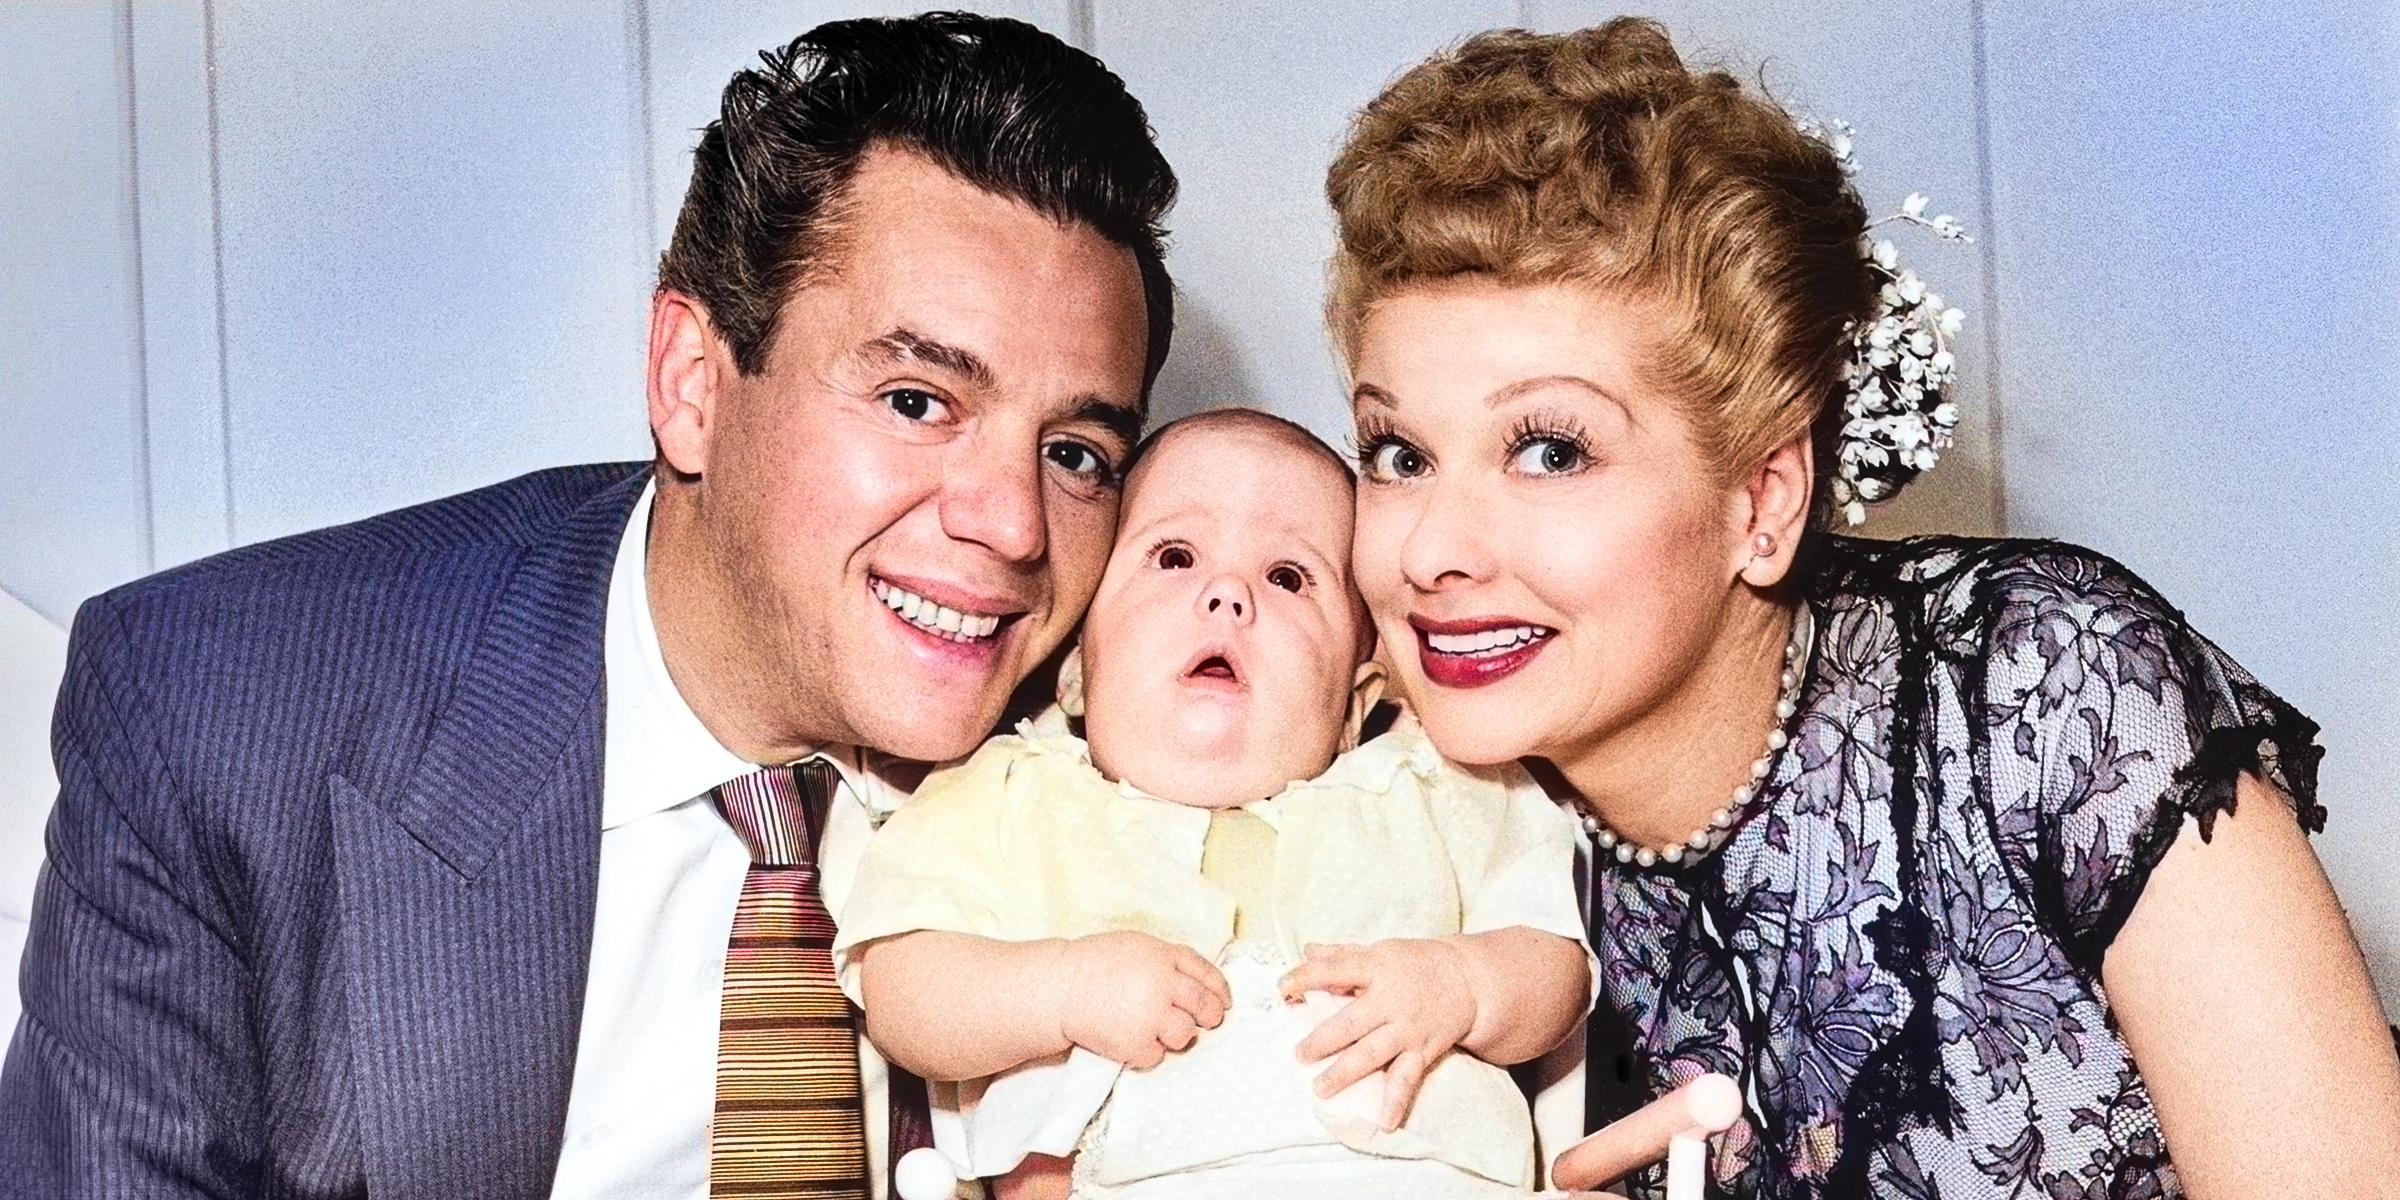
(1897,412)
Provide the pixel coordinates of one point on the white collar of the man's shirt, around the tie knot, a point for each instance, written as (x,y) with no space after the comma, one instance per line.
(659,755)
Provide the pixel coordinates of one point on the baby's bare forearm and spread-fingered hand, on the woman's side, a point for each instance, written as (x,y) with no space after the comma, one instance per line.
(1506,997)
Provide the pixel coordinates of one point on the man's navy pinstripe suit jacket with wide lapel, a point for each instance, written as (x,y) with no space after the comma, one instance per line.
(320,889)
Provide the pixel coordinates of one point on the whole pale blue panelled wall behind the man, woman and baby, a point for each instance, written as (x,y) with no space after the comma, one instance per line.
(272,265)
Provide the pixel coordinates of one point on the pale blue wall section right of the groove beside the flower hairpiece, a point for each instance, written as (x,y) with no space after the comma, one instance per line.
(2202,376)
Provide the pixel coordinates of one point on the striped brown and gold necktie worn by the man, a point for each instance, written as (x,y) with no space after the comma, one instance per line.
(788,1117)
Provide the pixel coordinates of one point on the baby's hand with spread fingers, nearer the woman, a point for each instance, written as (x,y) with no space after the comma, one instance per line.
(1412,1004)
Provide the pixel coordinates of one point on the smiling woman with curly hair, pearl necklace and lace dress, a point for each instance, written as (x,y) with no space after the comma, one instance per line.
(1969,860)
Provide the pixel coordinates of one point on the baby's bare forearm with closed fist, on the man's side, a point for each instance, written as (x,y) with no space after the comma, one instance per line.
(956,1007)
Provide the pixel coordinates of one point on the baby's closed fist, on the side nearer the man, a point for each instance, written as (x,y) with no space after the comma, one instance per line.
(1132,997)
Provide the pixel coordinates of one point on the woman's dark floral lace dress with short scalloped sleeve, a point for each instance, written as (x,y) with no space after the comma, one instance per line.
(1900,949)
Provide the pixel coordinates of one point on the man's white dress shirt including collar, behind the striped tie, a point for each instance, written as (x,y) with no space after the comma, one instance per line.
(671,875)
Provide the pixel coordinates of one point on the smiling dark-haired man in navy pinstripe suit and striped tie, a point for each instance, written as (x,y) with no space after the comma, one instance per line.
(402,858)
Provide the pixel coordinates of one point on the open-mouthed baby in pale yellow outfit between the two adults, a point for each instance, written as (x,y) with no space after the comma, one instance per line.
(1132,942)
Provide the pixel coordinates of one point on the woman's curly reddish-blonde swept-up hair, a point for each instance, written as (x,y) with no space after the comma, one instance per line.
(1600,160)
